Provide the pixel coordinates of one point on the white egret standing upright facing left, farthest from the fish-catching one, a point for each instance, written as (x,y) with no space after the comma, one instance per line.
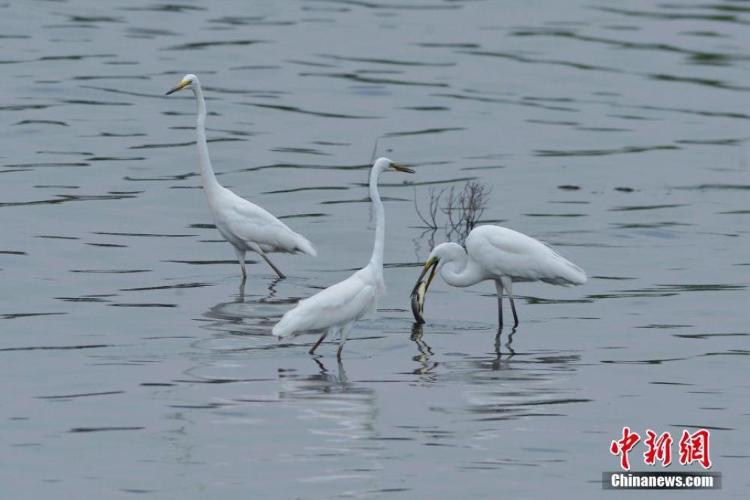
(245,225)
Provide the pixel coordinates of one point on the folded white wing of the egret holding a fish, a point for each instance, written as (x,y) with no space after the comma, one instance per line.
(506,252)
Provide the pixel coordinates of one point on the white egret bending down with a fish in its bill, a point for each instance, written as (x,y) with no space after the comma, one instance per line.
(498,254)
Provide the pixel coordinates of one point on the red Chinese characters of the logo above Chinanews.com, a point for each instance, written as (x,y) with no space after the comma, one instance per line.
(693,448)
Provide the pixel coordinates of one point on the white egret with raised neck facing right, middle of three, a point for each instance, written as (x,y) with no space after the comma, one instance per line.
(336,308)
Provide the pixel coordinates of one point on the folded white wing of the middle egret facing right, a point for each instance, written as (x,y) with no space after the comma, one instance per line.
(339,304)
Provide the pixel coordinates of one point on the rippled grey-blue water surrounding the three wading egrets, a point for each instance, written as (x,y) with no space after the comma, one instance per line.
(133,367)
